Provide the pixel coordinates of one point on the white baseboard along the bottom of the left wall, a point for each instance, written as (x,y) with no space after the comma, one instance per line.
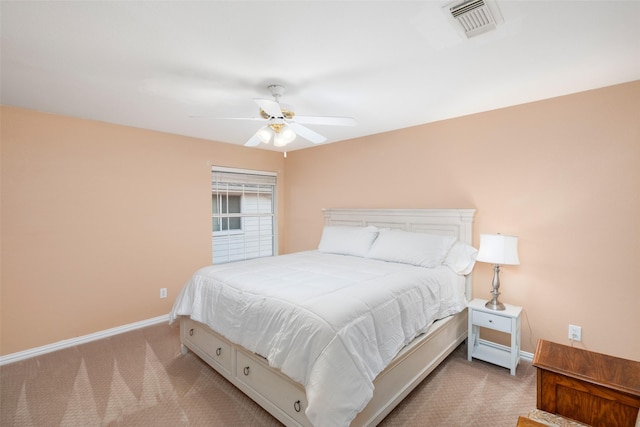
(33,352)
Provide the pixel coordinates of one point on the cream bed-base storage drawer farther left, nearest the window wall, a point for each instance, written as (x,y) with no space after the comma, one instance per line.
(214,348)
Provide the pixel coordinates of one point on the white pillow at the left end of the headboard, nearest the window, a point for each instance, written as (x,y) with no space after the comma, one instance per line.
(347,240)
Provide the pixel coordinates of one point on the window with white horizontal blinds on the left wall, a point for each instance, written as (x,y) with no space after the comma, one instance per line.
(243,214)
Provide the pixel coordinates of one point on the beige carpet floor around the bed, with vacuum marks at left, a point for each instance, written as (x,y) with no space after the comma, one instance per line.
(140,378)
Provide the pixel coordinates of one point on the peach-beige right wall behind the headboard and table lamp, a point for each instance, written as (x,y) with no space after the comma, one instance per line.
(563,174)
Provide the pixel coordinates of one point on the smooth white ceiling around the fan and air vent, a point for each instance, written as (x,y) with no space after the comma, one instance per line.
(388,64)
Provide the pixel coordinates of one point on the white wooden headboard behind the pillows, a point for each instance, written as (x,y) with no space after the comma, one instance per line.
(450,222)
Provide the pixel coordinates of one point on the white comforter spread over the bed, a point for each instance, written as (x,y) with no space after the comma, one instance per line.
(330,322)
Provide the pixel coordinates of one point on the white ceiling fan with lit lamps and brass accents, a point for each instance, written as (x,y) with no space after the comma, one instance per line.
(283,125)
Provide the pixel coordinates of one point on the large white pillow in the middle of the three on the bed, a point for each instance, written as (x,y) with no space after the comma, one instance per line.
(422,249)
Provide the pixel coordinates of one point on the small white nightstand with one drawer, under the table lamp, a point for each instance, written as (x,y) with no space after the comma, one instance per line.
(507,320)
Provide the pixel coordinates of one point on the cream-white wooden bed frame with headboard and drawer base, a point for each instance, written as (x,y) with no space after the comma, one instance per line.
(286,399)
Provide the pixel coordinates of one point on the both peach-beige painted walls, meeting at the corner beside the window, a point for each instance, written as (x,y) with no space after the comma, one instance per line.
(96,218)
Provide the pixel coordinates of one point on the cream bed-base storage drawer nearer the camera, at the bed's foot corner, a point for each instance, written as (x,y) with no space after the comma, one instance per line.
(284,393)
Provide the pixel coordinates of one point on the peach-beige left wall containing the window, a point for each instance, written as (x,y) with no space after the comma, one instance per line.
(96,218)
